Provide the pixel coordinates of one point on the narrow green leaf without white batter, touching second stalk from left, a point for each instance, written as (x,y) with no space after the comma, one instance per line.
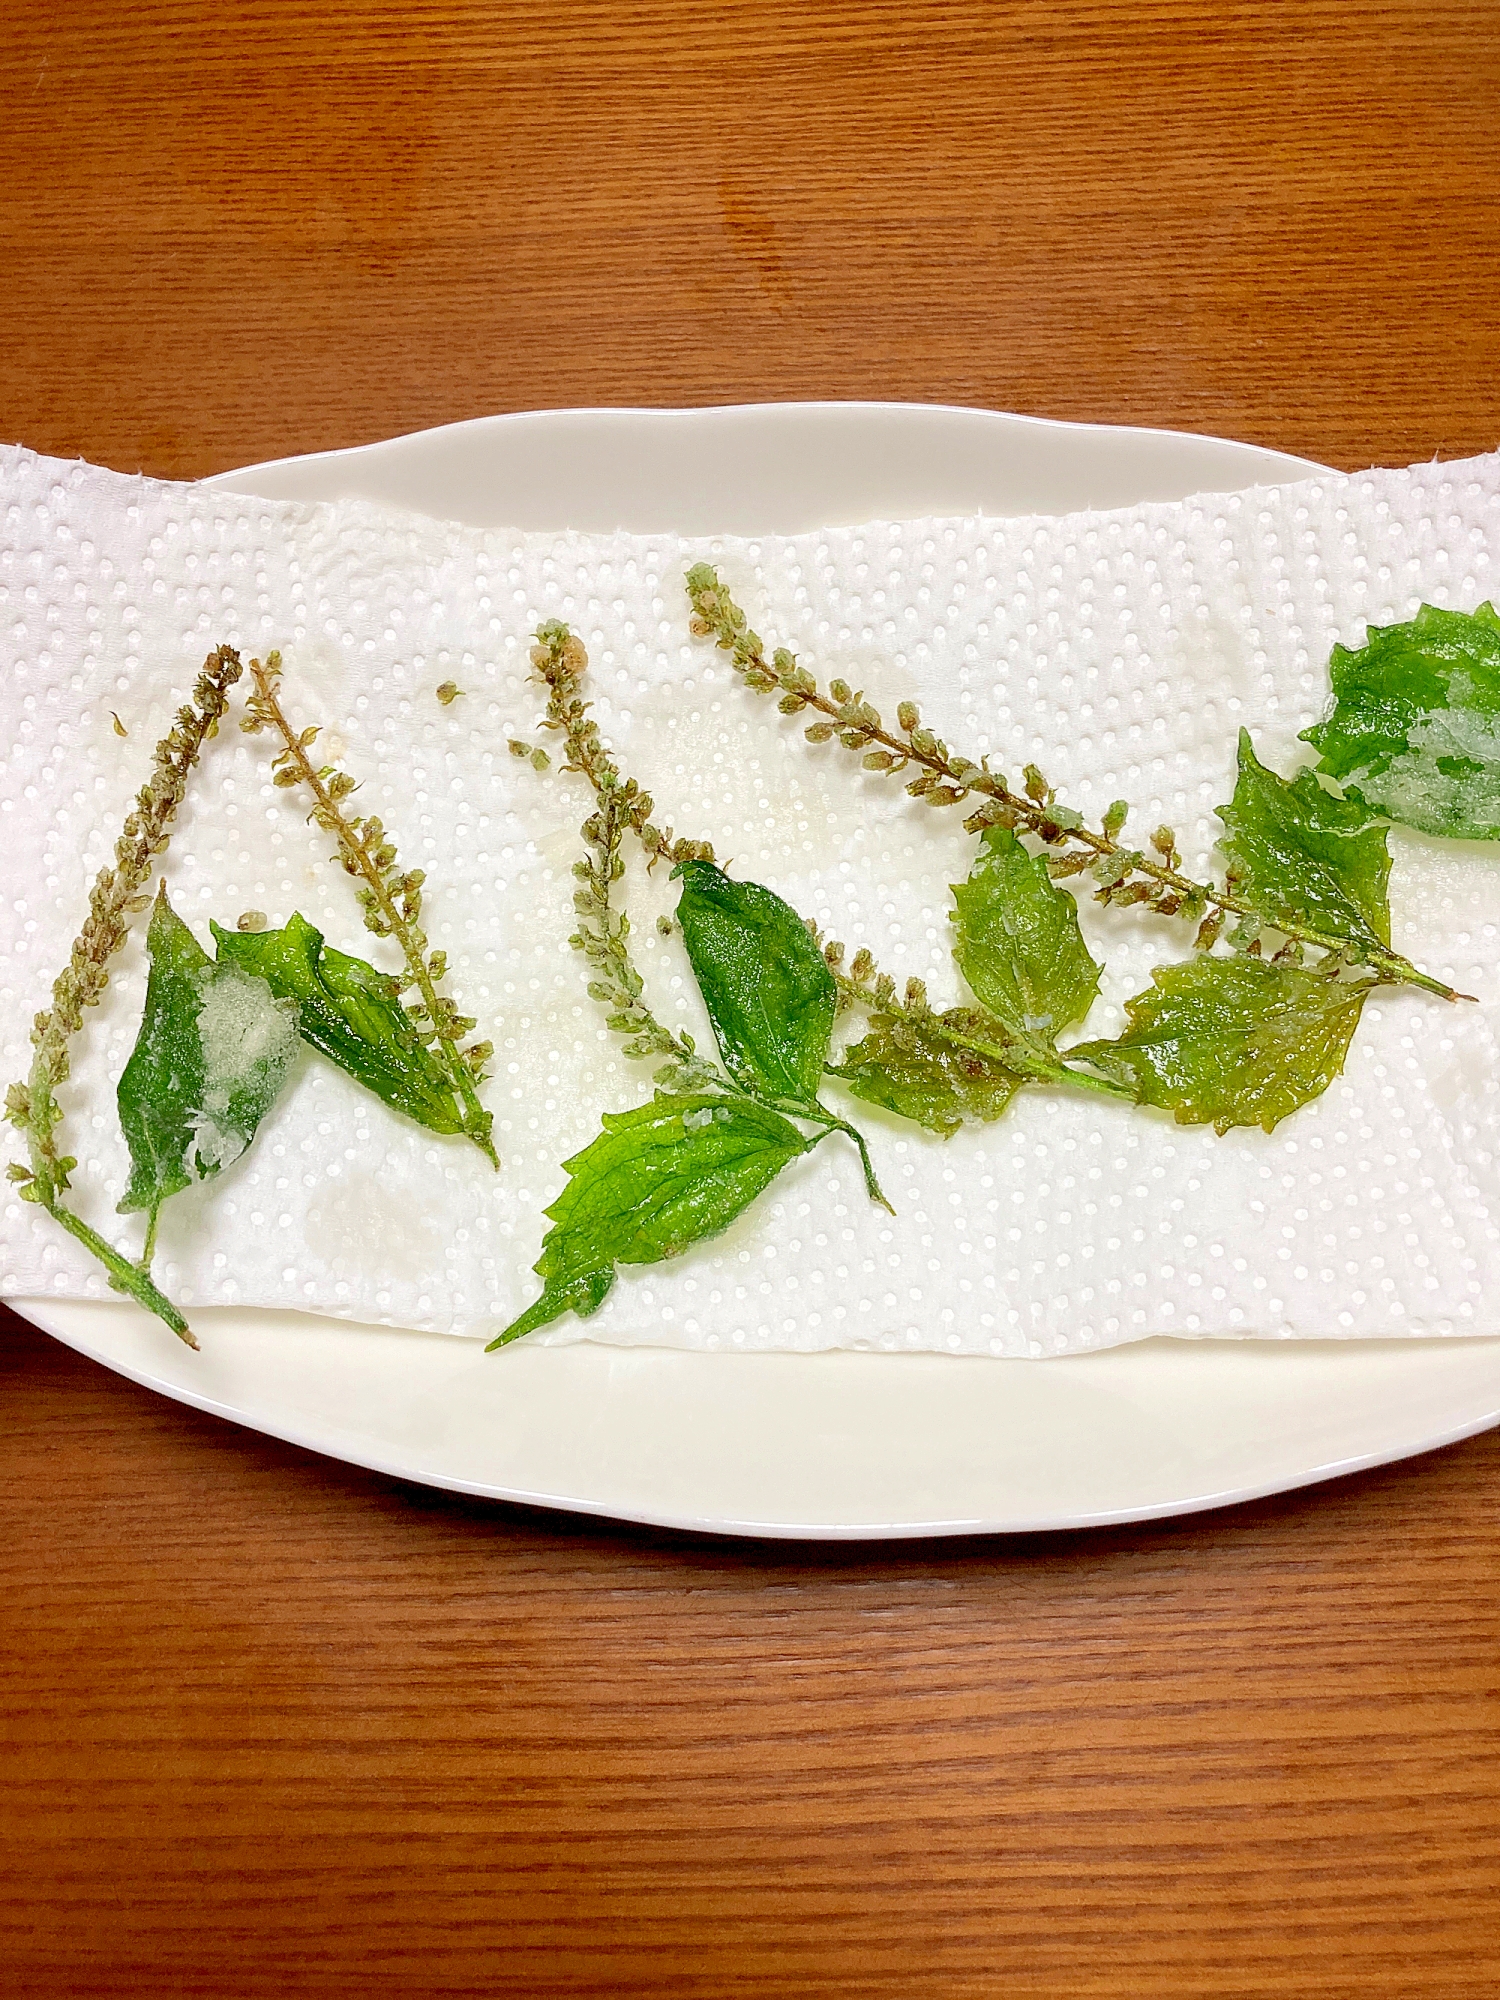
(349,1013)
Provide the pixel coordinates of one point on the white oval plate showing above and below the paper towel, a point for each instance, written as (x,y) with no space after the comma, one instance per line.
(799,1445)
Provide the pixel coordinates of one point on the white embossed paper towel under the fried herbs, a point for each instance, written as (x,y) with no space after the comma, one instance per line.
(1121,651)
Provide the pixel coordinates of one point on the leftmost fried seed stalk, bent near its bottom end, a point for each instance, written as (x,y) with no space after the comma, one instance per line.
(119,895)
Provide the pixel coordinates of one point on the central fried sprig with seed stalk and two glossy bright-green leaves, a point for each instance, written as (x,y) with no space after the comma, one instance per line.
(681,1169)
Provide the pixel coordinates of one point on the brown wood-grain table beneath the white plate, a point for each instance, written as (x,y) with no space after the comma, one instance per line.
(279,1727)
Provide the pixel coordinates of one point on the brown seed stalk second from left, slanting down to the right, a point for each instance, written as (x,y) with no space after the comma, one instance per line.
(391,897)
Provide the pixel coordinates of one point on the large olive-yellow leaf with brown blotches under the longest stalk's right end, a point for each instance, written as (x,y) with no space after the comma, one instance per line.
(1233,1041)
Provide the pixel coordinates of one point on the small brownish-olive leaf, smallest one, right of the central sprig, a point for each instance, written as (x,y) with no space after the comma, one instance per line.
(931,1069)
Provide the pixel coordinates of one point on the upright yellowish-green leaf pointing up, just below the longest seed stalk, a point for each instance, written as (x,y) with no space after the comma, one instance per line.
(1021,949)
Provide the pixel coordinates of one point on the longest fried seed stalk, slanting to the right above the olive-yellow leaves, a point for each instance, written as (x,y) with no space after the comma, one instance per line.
(1151,877)
